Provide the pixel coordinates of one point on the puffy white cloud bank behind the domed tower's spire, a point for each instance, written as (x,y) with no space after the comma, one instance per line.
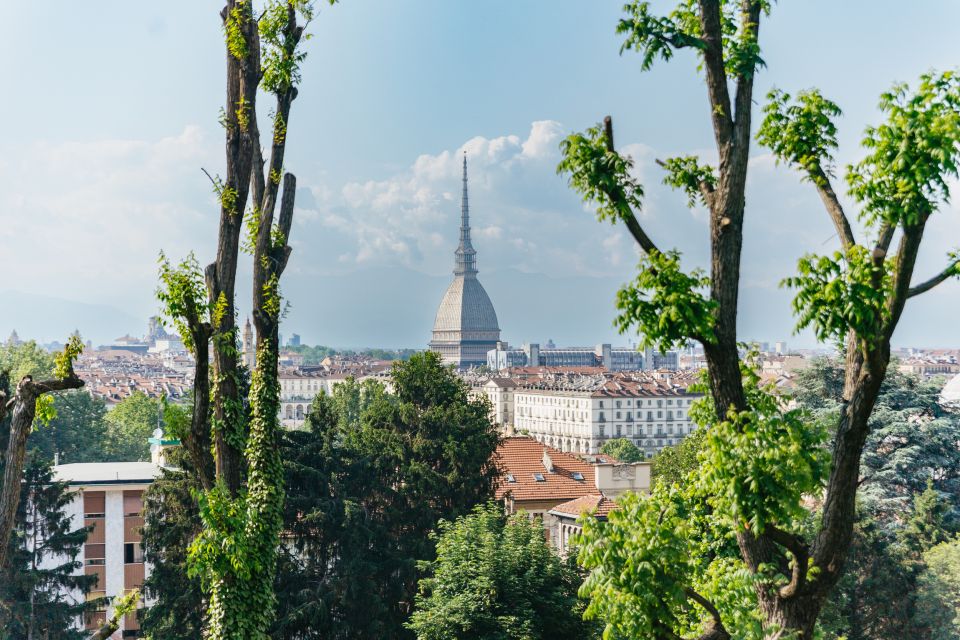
(520,209)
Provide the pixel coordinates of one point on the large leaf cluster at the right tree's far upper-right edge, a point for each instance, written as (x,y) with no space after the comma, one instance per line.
(913,155)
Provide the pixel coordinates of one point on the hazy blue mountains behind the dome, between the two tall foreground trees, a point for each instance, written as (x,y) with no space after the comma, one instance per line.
(395,307)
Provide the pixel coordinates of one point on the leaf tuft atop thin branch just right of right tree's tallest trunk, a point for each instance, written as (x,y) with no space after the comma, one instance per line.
(802,133)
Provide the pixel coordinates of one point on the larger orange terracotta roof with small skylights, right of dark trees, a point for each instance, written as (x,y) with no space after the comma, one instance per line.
(521,457)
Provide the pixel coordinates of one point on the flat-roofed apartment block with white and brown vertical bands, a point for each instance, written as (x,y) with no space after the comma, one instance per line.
(109,499)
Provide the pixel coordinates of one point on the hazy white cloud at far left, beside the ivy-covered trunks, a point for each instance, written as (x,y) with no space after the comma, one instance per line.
(87,220)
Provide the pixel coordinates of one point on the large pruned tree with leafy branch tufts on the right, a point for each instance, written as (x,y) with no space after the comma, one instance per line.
(855,297)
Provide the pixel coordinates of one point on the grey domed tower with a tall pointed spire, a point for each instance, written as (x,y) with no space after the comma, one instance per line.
(466,324)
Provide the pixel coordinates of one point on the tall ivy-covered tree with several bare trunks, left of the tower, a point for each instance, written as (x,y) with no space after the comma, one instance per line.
(233,440)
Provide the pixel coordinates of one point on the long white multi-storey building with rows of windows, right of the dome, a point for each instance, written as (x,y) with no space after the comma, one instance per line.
(579,413)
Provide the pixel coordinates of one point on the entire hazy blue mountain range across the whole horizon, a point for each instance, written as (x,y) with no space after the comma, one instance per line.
(395,307)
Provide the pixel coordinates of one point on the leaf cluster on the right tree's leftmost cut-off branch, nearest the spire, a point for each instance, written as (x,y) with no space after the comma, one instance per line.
(602,177)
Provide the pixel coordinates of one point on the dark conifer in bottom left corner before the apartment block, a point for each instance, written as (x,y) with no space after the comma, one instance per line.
(38,585)
